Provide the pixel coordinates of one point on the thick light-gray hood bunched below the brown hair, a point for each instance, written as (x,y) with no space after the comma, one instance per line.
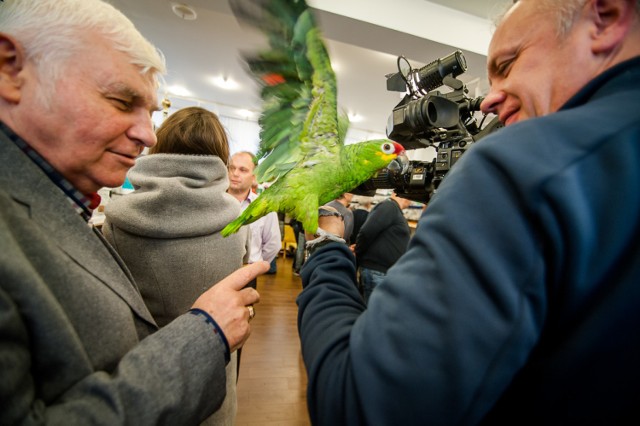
(175,196)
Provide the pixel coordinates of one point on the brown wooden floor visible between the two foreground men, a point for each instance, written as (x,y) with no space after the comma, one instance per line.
(272,383)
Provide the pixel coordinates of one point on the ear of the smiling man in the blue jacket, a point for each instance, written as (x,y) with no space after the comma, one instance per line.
(612,20)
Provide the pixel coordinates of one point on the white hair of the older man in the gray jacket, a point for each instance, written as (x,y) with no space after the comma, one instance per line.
(51,33)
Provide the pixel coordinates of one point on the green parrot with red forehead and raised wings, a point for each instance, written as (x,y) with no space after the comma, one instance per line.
(302,134)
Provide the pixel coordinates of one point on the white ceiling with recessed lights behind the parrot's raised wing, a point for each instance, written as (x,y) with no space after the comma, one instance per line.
(363,43)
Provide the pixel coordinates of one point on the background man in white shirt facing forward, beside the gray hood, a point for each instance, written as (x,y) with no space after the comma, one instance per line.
(266,239)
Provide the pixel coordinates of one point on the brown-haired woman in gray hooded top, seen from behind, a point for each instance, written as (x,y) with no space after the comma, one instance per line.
(167,230)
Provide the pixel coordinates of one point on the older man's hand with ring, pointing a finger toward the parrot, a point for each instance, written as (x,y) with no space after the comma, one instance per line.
(228,303)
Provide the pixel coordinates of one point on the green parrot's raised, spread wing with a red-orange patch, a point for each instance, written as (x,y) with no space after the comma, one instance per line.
(298,86)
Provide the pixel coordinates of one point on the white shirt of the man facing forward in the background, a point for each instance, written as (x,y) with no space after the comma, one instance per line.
(266,240)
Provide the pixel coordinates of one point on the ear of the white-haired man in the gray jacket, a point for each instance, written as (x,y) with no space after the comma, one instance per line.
(11,65)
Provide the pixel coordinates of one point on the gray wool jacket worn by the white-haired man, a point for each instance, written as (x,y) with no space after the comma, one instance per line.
(72,322)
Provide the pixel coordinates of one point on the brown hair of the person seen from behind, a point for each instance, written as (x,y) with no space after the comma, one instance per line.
(194,131)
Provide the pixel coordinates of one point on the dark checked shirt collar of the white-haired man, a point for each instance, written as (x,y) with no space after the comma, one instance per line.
(80,202)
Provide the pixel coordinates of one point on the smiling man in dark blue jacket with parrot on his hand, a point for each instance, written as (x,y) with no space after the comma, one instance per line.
(517,300)
